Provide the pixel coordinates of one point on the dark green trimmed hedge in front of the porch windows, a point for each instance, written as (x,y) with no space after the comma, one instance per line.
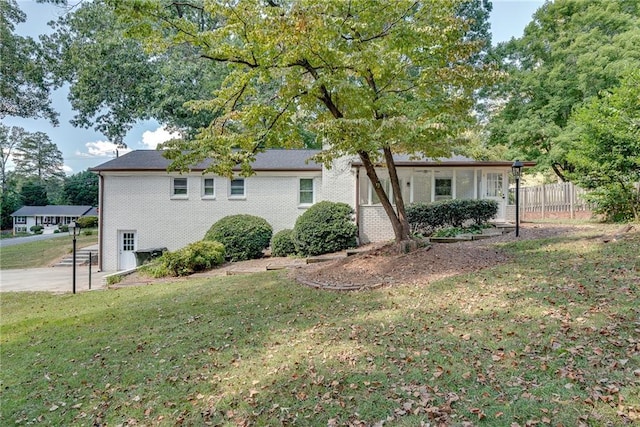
(425,218)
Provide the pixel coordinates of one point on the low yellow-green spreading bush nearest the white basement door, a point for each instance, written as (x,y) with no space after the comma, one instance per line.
(194,257)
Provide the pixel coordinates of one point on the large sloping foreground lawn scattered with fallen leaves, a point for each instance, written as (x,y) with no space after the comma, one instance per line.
(551,338)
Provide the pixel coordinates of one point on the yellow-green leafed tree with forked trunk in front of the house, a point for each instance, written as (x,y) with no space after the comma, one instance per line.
(370,78)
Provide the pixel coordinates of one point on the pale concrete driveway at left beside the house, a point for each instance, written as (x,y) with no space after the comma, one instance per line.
(50,279)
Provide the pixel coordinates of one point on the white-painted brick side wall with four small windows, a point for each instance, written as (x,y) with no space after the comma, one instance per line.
(142,203)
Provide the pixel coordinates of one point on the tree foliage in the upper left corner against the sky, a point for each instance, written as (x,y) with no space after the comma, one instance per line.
(24,83)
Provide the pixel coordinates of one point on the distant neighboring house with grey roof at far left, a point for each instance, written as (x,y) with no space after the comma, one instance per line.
(49,217)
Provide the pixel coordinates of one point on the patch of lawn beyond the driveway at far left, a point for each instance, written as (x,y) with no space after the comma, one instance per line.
(42,253)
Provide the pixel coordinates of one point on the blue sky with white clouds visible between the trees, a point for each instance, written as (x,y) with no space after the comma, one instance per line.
(85,148)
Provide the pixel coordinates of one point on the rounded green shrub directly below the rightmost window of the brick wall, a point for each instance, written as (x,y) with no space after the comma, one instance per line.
(325,227)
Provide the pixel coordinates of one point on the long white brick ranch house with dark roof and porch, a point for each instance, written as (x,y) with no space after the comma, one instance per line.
(143,206)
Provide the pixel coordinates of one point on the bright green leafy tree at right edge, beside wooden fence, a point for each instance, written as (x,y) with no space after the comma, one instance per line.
(606,153)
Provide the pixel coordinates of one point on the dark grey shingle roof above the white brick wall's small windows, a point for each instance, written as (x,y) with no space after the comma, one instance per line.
(270,160)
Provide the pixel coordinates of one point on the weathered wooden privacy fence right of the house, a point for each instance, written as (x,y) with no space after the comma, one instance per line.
(550,201)
